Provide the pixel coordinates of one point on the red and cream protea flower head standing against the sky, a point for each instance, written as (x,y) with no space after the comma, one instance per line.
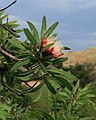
(54,50)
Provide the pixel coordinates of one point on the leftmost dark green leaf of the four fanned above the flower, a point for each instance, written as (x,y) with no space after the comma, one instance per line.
(29,36)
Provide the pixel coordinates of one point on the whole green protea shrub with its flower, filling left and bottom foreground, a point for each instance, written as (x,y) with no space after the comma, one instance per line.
(40,59)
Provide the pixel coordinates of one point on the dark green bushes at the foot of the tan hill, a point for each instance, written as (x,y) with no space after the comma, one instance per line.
(85,72)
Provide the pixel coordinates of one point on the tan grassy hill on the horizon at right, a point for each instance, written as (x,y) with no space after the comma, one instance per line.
(88,55)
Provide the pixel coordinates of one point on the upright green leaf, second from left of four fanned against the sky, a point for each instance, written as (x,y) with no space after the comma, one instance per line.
(34,31)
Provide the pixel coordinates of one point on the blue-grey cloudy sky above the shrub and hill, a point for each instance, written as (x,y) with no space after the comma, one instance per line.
(77,19)
